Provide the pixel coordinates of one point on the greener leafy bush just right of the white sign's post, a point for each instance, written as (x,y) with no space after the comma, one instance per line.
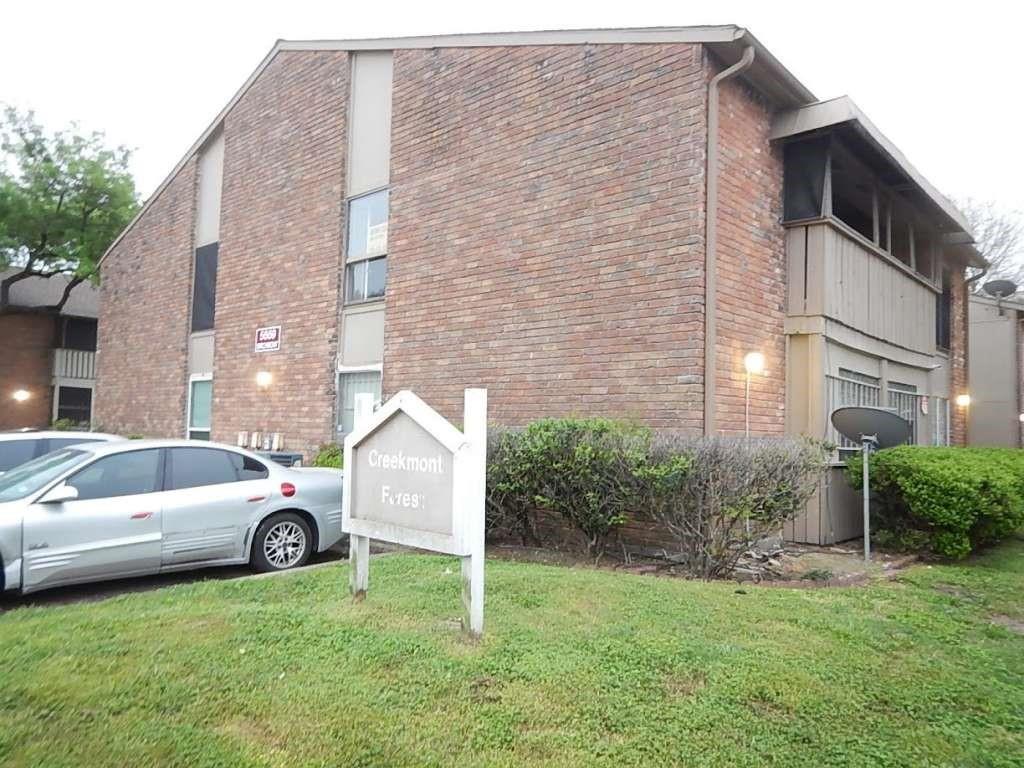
(581,470)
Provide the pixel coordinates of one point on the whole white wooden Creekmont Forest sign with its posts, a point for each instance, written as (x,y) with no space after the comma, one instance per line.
(413,479)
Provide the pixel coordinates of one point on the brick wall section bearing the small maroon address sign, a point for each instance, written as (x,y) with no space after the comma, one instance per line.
(281,232)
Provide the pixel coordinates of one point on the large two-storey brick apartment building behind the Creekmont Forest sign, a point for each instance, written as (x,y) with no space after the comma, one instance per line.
(588,223)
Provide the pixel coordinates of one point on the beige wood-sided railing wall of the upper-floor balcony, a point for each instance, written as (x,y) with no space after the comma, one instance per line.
(834,273)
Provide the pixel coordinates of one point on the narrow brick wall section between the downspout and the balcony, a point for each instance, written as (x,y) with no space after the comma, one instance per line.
(751,263)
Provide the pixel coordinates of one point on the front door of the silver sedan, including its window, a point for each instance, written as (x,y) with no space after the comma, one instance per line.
(112,530)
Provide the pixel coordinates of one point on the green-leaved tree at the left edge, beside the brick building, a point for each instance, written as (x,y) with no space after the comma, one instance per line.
(64,199)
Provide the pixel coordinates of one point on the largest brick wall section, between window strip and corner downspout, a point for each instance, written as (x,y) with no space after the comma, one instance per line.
(547,231)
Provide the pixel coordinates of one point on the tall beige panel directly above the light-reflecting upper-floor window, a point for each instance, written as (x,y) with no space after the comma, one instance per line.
(370,122)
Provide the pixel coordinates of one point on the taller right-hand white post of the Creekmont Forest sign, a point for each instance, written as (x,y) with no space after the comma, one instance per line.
(476,430)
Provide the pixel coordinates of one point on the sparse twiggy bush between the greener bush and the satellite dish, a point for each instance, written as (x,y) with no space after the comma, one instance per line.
(716,495)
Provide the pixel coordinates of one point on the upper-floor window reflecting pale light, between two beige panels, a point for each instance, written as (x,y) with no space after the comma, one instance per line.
(366,274)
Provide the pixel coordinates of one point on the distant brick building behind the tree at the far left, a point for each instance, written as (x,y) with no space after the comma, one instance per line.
(48,371)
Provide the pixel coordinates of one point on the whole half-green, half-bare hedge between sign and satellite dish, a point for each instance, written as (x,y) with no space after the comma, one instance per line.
(712,495)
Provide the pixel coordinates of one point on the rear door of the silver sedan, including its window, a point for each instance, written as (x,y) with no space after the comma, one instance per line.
(212,496)
